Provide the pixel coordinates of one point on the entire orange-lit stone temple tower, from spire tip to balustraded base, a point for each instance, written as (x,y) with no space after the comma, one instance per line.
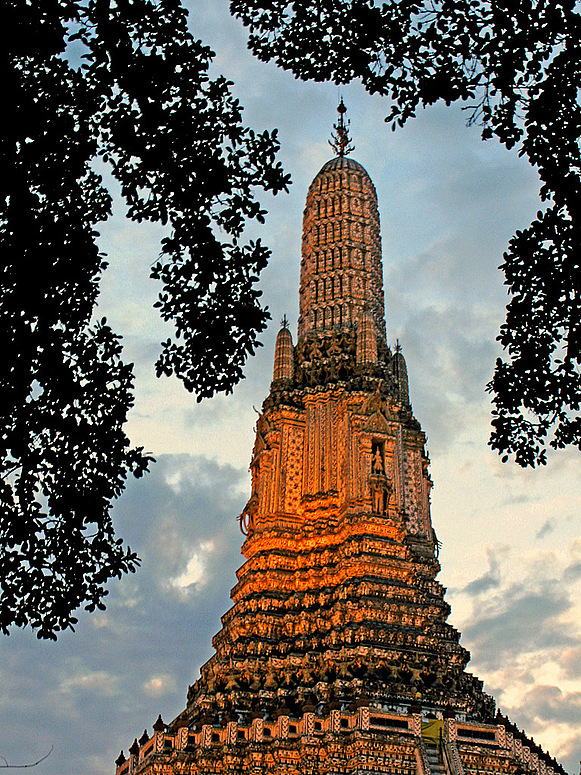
(336,656)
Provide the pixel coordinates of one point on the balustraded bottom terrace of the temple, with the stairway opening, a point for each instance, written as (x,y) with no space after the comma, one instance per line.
(353,742)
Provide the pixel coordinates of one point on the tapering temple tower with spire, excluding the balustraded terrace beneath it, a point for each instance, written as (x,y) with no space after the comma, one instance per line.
(337,601)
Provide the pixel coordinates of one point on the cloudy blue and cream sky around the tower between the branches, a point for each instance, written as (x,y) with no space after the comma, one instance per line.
(511,549)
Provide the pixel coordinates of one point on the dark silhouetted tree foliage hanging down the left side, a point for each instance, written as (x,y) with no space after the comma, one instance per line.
(123,81)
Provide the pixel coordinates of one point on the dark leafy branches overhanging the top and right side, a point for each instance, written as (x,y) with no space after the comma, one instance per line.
(516,65)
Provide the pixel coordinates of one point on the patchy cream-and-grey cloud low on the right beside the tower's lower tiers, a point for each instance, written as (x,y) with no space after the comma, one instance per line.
(521,624)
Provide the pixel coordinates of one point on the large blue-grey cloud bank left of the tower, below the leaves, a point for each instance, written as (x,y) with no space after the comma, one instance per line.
(90,693)
